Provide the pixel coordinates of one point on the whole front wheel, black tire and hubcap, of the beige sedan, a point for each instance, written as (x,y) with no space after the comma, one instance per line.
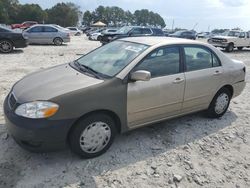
(97,130)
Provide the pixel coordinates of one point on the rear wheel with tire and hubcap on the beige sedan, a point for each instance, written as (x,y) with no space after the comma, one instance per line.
(219,104)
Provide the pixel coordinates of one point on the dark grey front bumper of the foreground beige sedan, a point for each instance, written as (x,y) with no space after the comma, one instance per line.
(37,135)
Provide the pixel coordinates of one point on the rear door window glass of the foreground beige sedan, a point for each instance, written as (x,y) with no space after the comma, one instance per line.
(198,58)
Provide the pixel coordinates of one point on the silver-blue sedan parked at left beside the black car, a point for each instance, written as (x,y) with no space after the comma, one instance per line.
(46,34)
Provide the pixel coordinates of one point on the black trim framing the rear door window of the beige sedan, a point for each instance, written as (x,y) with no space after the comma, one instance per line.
(202,47)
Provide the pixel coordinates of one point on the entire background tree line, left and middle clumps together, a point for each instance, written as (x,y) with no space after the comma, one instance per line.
(68,14)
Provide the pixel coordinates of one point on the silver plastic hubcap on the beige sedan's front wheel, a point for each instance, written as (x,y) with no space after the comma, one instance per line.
(95,137)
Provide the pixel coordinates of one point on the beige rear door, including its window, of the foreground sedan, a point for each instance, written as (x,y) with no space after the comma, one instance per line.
(203,73)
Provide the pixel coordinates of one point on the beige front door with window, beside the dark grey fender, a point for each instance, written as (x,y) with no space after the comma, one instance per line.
(162,95)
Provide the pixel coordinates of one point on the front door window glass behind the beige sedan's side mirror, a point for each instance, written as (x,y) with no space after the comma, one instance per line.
(161,62)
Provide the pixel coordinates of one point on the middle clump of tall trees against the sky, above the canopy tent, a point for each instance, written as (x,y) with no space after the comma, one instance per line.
(116,16)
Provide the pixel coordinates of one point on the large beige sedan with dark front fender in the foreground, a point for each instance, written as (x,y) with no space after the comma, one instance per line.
(118,87)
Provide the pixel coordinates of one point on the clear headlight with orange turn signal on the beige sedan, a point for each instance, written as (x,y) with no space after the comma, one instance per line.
(37,109)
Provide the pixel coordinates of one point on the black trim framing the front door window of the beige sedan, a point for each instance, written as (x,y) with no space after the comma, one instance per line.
(181,63)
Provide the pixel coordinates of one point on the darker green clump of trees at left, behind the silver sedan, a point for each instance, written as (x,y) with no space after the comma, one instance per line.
(64,14)
